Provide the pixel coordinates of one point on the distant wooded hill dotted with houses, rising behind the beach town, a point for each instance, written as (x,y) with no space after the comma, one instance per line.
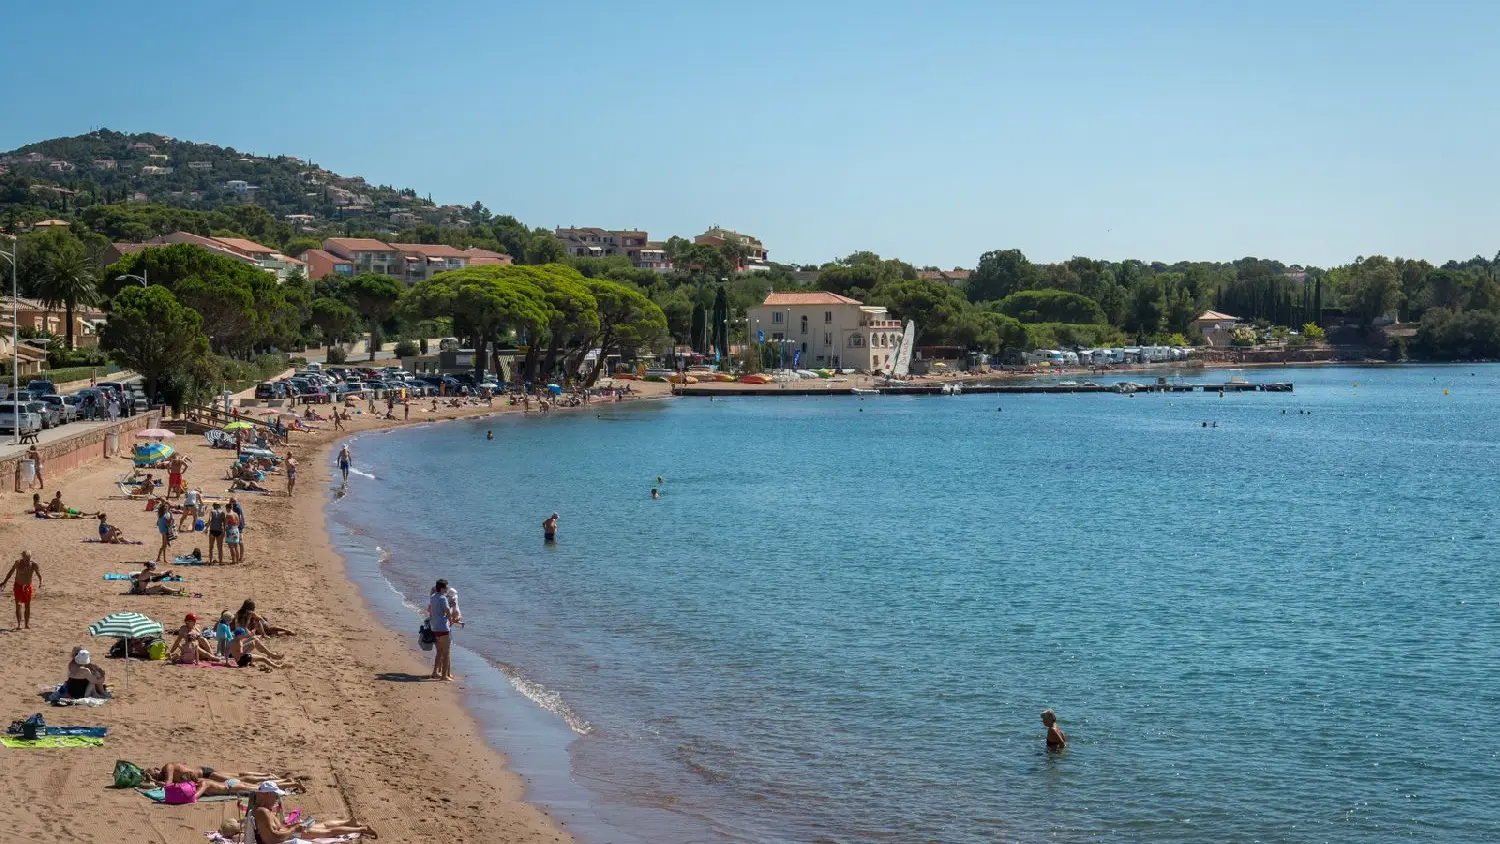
(68,175)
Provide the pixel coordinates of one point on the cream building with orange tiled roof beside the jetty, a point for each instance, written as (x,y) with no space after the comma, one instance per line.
(827,331)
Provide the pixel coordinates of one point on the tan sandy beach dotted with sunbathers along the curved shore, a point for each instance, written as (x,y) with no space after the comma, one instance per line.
(353,716)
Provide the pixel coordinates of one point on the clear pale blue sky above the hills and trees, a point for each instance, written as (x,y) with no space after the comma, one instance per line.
(932,131)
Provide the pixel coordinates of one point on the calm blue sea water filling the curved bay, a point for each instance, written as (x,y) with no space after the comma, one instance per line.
(844,617)
